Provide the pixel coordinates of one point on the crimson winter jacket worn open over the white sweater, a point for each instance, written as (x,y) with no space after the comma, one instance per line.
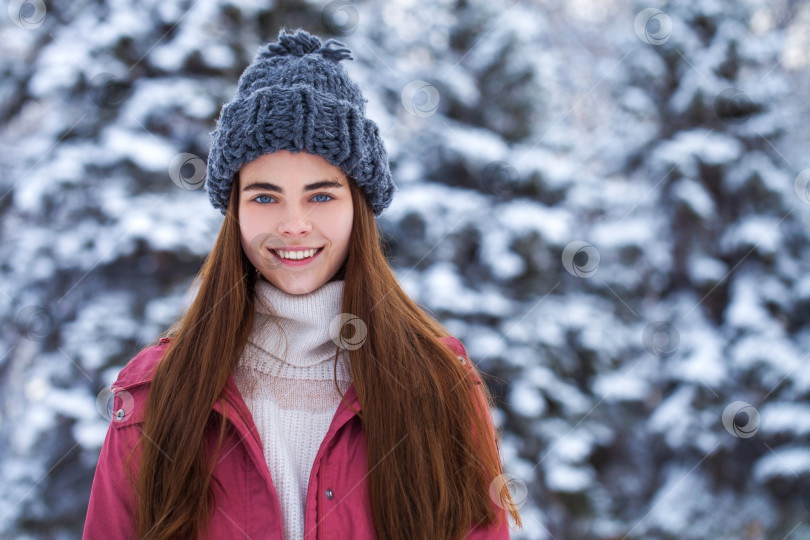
(337,506)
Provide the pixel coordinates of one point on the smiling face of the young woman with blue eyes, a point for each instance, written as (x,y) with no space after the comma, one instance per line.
(289,204)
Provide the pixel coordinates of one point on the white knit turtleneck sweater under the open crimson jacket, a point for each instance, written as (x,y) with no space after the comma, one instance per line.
(288,386)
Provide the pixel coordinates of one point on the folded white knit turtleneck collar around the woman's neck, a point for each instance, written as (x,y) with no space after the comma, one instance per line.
(296,323)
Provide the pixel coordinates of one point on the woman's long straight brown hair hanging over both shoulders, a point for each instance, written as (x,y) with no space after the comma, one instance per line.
(429,471)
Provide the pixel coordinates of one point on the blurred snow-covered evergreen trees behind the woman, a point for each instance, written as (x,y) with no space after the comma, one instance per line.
(605,201)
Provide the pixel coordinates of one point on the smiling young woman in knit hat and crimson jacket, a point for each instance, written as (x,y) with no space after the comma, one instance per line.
(303,394)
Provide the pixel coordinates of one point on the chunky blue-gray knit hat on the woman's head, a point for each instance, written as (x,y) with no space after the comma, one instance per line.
(295,95)
